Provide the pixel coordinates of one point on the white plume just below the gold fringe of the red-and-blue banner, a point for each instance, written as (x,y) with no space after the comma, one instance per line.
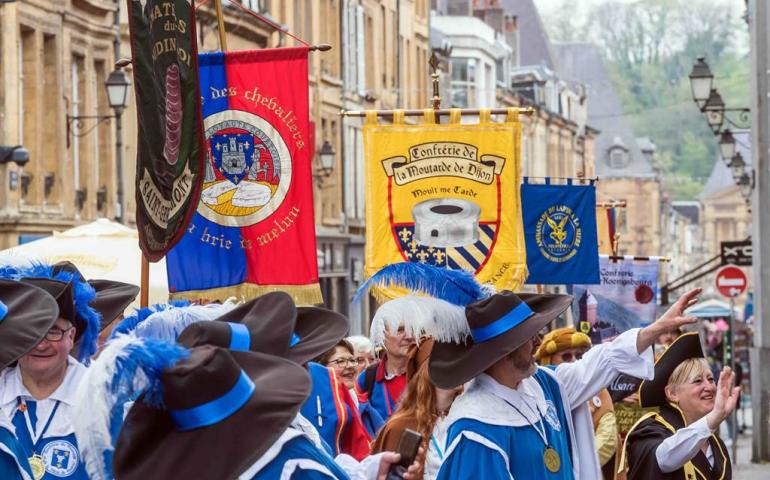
(168,324)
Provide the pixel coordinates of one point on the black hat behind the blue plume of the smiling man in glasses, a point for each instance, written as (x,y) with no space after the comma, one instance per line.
(112,298)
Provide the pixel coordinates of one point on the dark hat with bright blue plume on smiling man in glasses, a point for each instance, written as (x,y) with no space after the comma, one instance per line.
(72,294)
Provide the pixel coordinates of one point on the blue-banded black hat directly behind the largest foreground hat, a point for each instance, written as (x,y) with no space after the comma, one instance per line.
(265,324)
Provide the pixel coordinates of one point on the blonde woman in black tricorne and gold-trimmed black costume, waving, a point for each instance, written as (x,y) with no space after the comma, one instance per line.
(680,440)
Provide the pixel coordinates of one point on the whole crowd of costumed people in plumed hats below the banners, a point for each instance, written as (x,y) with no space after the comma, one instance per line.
(267,389)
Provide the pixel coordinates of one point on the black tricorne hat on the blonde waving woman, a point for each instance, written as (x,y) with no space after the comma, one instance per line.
(652,393)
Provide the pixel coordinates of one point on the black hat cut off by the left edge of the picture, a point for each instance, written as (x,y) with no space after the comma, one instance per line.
(26,314)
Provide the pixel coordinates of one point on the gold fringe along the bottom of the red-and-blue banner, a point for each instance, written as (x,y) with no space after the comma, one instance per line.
(302,294)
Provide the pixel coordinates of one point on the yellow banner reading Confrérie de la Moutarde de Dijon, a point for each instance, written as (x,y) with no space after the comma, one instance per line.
(445,195)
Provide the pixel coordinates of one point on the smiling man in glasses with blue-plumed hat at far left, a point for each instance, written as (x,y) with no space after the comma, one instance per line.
(37,394)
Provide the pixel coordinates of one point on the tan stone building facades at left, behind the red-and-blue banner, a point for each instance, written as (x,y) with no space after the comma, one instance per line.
(56,55)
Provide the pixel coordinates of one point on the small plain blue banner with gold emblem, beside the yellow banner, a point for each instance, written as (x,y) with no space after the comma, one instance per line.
(560,233)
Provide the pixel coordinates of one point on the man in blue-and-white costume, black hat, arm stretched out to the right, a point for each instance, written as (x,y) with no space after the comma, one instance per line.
(518,420)
